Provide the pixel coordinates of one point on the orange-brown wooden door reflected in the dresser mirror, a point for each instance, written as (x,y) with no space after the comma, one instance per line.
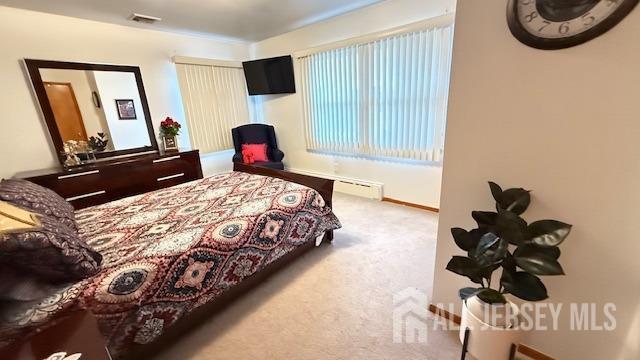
(66,111)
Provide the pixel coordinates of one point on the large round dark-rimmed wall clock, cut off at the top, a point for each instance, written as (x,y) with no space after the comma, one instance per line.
(558,24)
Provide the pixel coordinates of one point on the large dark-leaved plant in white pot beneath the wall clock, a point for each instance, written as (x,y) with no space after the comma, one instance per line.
(503,240)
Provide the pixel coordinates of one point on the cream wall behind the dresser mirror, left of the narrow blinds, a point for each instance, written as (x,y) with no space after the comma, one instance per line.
(25,143)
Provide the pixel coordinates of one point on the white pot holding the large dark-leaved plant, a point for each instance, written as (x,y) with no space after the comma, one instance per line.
(489,339)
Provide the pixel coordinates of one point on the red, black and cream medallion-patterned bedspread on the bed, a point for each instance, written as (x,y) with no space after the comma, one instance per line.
(168,252)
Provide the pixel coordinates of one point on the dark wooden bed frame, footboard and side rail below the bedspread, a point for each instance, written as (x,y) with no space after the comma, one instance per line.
(200,315)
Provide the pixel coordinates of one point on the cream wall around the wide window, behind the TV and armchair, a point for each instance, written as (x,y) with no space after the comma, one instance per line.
(413,183)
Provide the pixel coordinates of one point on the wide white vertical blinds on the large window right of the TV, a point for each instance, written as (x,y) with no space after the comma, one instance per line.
(383,98)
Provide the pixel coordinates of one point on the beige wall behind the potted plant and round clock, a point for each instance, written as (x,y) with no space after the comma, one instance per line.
(565,124)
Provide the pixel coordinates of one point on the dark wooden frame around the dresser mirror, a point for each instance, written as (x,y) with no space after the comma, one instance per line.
(33,68)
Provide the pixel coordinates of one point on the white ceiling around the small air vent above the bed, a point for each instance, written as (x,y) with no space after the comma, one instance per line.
(248,20)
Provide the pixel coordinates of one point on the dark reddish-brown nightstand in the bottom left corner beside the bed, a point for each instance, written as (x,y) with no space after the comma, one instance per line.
(77,334)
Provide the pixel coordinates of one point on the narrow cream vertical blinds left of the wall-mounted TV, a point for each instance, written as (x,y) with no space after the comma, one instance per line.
(215,101)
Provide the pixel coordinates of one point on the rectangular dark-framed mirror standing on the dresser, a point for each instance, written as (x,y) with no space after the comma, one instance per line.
(102,107)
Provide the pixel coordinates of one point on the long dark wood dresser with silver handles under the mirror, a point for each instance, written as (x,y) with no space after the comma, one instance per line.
(115,179)
